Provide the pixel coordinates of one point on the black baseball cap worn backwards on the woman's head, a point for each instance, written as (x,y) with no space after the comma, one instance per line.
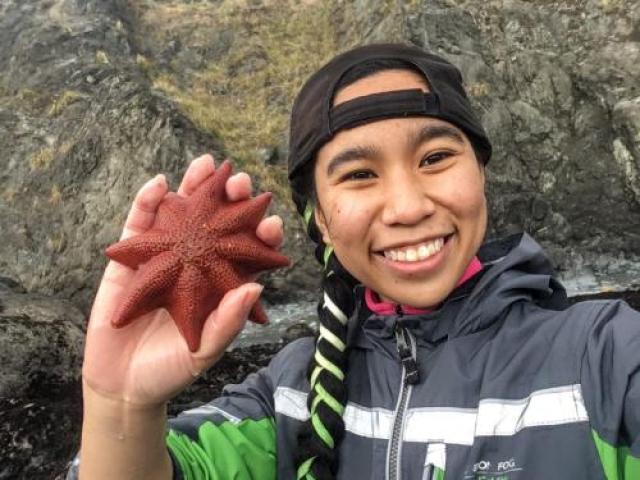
(314,121)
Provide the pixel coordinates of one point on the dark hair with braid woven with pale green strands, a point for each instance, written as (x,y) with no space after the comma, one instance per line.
(320,437)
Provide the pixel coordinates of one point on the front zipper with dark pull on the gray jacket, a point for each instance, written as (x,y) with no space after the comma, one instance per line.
(410,376)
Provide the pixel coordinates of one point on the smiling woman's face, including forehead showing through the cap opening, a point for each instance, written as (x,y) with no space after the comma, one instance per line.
(401,200)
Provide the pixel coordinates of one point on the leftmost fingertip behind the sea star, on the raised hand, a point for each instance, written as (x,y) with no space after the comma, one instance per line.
(144,208)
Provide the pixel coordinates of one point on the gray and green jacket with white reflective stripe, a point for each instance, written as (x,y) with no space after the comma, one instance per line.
(512,383)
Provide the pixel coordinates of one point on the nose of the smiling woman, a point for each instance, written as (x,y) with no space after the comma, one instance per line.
(407,201)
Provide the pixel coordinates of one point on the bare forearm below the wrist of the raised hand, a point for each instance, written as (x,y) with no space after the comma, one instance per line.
(123,441)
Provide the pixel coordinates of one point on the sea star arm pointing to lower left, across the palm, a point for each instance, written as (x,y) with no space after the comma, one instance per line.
(148,288)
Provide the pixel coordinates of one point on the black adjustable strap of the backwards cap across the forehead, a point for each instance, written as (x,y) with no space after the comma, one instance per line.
(382,105)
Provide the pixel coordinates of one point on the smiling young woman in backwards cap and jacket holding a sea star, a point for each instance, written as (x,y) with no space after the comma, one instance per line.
(439,354)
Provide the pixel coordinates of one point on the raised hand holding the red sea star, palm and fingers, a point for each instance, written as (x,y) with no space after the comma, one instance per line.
(147,362)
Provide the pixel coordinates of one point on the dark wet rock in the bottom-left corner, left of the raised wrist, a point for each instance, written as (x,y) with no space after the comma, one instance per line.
(41,344)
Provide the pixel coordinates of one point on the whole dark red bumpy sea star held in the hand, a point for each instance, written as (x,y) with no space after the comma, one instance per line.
(198,248)
